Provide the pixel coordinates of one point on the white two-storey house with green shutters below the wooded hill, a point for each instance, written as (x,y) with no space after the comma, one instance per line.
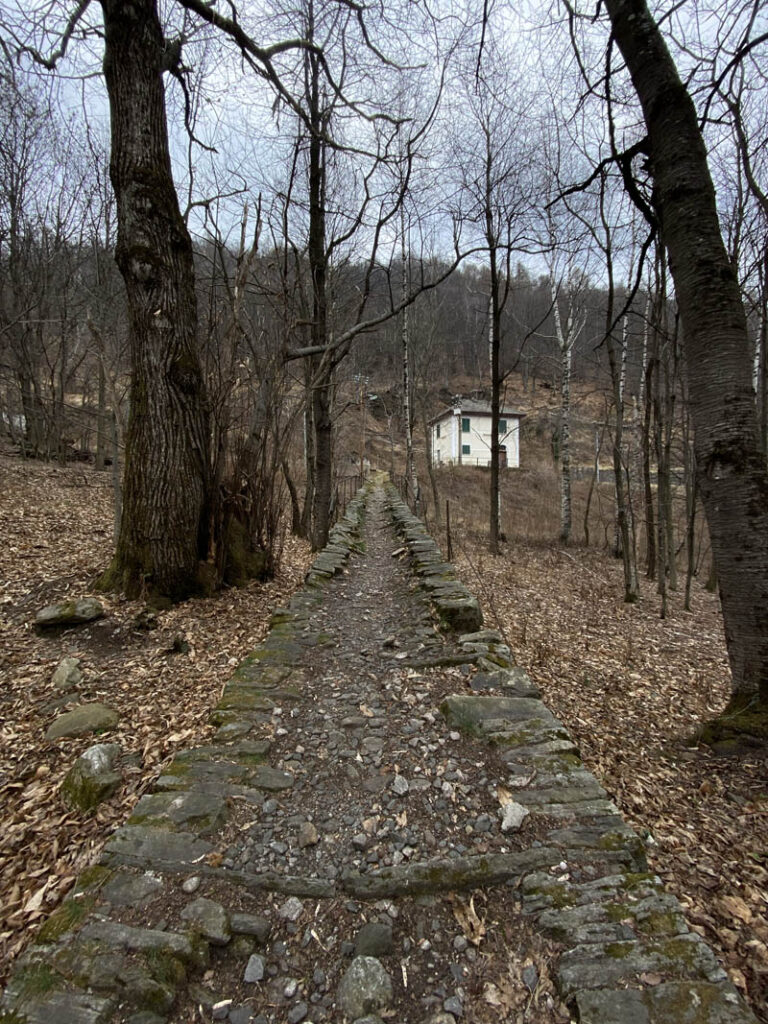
(462,435)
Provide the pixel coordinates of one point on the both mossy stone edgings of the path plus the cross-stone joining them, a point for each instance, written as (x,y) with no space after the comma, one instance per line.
(586,884)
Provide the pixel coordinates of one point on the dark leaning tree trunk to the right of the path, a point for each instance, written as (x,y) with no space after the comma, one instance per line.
(732,472)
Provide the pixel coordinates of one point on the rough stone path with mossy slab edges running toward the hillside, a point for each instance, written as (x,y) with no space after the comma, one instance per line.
(389,826)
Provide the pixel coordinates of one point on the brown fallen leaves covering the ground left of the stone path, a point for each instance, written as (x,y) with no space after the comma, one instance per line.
(57,541)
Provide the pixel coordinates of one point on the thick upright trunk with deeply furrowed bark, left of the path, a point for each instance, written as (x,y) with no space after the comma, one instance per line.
(164,532)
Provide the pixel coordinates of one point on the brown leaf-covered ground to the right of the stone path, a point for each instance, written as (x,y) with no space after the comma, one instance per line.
(633,691)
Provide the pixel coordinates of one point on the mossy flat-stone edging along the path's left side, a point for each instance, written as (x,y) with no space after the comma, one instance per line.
(87,969)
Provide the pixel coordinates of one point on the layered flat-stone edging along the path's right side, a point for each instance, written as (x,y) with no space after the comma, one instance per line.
(617,928)
